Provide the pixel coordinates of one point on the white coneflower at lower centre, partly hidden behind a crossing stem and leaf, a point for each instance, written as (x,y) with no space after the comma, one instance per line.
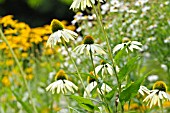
(93,84)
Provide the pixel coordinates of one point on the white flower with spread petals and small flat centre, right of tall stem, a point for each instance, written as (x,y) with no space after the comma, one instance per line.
(130,45)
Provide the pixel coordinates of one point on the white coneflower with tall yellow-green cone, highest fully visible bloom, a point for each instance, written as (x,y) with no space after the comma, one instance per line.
(59,33)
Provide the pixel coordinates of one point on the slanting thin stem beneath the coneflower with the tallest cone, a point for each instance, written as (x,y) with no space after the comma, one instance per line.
(81,80)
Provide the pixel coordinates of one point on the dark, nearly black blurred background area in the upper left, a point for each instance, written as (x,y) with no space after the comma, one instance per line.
(37,12)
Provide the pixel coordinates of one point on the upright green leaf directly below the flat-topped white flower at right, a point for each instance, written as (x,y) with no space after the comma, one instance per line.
(127,68)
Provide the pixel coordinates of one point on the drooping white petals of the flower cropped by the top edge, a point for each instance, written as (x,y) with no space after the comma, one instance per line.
(82,4)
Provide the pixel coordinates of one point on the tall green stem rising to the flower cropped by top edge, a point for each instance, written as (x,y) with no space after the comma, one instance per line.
(109,49)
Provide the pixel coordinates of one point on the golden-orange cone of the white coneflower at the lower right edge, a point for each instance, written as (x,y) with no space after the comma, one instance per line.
(160,85)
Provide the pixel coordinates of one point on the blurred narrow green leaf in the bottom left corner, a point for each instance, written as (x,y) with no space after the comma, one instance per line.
(24,104)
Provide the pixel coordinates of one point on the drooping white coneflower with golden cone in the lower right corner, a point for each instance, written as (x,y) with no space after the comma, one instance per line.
(158,94)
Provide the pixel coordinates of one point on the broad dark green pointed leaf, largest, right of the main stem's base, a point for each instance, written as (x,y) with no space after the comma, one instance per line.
(132,90)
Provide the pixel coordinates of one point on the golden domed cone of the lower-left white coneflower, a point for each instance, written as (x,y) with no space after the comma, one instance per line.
(61,75)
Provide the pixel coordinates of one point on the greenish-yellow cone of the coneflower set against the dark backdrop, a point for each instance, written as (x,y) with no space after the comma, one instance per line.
(56,25)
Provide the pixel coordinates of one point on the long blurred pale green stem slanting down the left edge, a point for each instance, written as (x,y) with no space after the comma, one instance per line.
(20,68)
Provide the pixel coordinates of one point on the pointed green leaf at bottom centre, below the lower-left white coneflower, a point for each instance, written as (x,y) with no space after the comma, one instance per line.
(85,103)
